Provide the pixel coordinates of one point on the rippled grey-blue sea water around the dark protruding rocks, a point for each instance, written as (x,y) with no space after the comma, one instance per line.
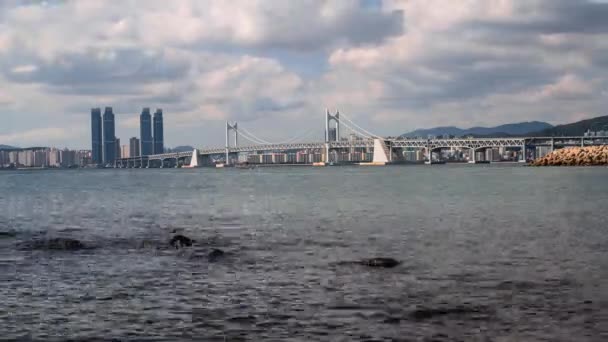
(488,252)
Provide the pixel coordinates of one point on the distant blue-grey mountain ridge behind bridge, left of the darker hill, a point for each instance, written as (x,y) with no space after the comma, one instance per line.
(521,128)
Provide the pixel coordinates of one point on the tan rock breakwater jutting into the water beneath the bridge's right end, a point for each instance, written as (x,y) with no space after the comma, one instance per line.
(575,156)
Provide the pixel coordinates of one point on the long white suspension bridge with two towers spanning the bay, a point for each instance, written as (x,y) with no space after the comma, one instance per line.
(359,146)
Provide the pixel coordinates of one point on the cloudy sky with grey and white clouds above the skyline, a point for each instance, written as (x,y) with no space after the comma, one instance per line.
(274,66)
